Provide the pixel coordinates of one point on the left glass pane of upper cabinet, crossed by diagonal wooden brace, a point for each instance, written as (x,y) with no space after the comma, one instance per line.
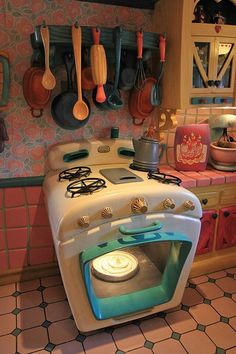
(203,52)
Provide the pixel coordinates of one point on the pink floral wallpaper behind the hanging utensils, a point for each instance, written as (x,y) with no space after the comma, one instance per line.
(29,138)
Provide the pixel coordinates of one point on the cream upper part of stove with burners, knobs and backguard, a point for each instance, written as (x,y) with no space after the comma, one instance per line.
(108,189)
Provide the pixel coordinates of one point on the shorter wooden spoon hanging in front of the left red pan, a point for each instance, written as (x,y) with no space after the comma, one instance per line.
(48,80)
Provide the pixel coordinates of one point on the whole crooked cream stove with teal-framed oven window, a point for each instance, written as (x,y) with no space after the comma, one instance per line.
(125,241)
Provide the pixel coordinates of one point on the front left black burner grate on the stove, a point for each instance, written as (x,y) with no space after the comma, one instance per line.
(86,186)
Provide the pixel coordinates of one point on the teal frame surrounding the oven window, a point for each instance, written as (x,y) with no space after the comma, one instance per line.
(104,308)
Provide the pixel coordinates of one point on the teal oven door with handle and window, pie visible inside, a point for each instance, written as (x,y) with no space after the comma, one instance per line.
(160,258)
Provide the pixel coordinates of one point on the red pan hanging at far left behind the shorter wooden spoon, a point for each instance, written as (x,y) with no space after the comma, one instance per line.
(36,96)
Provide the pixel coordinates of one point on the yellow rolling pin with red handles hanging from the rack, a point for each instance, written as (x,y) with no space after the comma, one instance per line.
(98,65)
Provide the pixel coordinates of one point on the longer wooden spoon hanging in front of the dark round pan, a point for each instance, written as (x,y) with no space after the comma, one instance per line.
(80,109)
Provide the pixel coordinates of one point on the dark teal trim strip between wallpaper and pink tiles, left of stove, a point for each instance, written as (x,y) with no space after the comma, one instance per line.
(21,182)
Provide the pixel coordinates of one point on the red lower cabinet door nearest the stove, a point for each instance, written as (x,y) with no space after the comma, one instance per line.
(206,238)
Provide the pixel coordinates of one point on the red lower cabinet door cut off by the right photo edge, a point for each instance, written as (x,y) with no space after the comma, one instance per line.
(226,232)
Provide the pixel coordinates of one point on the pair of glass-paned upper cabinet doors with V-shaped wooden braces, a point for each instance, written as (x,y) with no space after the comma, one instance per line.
(213,65)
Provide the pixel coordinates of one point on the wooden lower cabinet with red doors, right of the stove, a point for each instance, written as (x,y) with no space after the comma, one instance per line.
(216,249)
